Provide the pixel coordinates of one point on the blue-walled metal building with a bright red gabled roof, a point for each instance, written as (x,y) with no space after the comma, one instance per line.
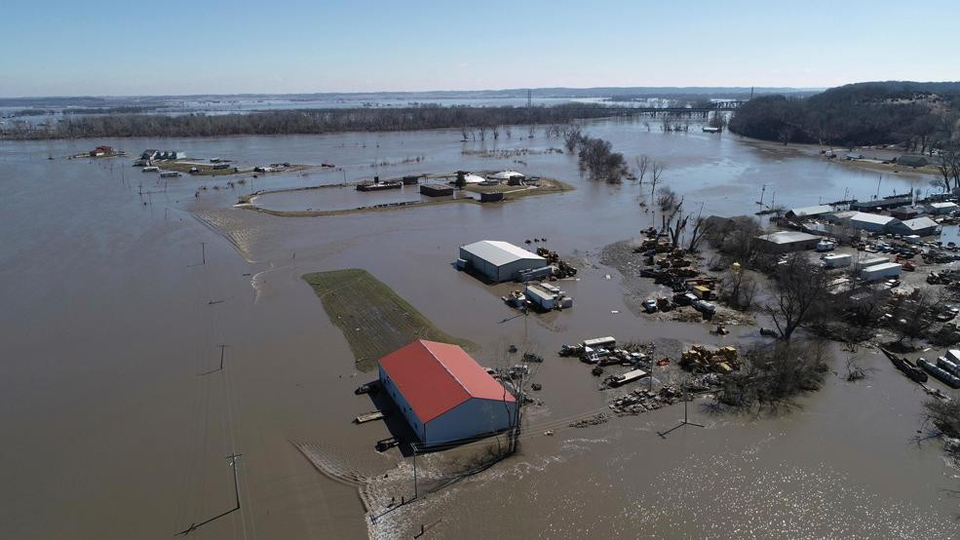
(443,394)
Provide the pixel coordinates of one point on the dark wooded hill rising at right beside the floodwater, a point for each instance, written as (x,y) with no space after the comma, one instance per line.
(920,116)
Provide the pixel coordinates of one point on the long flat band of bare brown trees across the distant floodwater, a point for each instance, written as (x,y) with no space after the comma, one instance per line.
(308,121)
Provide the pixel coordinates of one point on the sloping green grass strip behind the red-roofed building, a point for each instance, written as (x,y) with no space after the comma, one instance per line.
(374,319)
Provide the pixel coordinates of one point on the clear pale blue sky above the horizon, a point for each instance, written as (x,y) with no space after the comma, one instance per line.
(286,46)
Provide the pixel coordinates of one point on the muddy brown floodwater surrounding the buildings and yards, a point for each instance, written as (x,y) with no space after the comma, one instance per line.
(118,290)
